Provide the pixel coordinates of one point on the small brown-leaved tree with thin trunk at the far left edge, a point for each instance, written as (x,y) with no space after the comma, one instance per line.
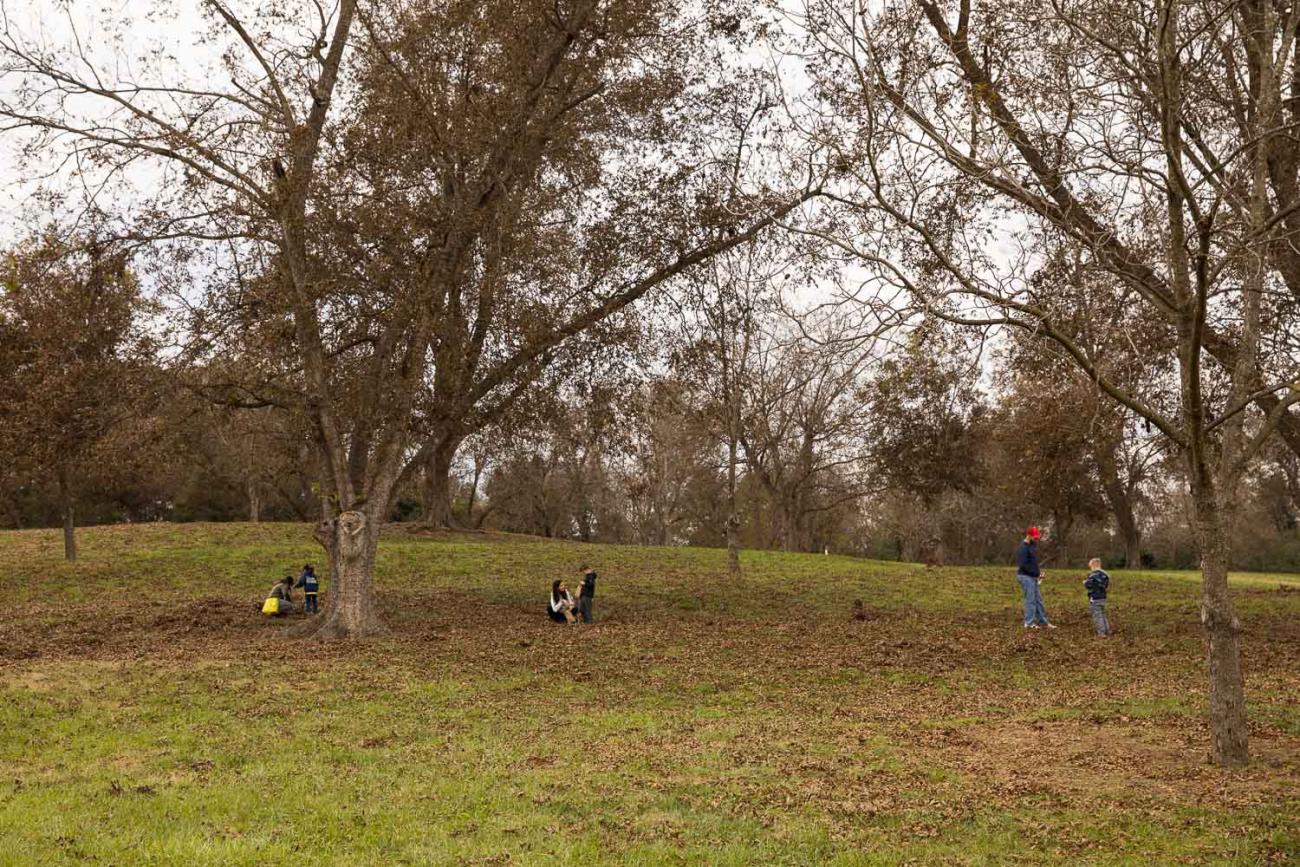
(77,361)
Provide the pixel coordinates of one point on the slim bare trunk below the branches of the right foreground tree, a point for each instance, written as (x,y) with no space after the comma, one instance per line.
(1227,690)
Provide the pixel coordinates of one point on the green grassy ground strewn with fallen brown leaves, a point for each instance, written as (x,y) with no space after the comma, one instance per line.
(149,714)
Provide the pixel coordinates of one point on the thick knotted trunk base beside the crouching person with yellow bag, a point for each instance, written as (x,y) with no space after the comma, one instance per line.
(352,541)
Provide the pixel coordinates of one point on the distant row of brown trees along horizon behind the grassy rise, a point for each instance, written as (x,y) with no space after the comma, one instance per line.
(887,452)
